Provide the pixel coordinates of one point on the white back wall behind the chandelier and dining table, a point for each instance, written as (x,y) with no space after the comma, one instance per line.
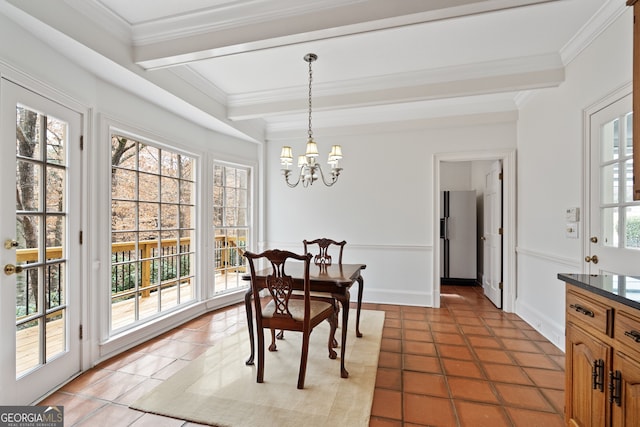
(382,204)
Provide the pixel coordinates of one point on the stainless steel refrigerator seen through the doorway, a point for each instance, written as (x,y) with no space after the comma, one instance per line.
(458,237)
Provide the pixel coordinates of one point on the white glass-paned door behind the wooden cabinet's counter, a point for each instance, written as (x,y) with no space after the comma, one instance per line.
(613,241)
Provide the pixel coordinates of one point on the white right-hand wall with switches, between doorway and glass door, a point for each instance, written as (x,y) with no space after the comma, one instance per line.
(550,171)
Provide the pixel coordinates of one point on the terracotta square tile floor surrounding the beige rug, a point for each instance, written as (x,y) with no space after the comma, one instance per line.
(465,364)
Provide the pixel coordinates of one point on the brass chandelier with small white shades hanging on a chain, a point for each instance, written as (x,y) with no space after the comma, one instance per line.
(310,170)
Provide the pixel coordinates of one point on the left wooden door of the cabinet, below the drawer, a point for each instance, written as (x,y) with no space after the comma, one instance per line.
(586,406)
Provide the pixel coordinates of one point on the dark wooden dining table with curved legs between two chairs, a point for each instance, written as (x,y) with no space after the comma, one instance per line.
(335,279)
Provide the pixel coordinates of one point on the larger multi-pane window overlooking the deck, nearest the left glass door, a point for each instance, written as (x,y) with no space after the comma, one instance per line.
(152,231)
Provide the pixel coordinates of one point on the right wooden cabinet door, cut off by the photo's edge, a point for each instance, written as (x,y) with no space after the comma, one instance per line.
(626,411)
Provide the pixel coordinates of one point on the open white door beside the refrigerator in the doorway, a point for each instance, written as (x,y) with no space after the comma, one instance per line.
(492,237)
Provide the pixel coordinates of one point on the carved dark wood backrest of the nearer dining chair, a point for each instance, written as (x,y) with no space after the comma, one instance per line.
(278,283)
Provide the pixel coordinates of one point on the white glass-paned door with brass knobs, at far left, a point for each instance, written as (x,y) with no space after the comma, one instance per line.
(40,248)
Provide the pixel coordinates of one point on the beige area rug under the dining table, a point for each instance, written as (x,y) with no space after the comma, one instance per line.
(218,388)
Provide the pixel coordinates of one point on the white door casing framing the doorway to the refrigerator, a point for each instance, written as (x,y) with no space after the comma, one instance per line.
(446,164)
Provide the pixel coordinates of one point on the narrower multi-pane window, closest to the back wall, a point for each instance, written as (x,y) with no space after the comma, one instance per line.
(231,224)
